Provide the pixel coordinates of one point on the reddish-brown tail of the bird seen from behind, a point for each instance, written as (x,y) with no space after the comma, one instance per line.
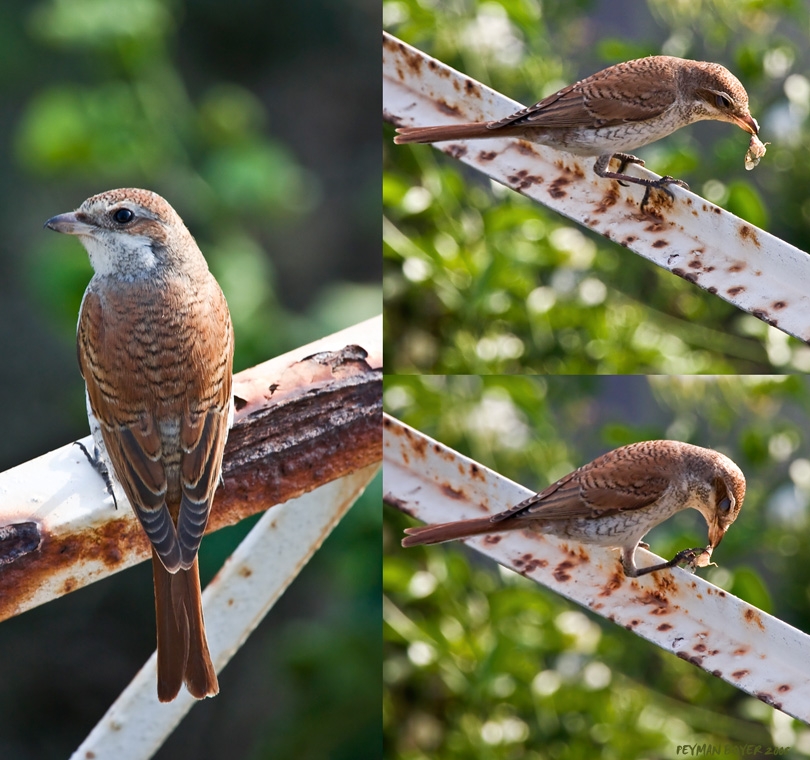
(181,643)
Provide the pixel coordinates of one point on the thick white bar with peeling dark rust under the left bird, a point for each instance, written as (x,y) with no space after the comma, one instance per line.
(303,419)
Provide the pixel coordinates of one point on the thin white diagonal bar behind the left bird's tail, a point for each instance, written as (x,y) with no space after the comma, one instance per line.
(241,594)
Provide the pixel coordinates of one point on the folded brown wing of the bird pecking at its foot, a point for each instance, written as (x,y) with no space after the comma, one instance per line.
(585,493)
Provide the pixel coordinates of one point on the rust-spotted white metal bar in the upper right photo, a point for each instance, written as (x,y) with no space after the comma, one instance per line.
(690,236)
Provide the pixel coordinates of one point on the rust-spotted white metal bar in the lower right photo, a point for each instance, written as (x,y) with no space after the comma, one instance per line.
(675,610)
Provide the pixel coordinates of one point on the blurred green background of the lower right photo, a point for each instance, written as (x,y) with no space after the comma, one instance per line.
(481,662)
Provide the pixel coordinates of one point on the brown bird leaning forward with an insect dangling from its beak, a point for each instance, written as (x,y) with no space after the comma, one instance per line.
(615,111)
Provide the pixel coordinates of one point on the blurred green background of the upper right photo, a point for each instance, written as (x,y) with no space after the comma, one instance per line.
(478,279)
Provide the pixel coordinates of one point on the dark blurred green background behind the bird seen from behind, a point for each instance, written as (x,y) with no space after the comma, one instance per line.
(254,121)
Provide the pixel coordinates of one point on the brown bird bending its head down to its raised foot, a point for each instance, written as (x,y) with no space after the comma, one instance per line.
(614,500)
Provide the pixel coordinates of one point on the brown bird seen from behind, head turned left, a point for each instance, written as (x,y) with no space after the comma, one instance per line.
(155,347)
